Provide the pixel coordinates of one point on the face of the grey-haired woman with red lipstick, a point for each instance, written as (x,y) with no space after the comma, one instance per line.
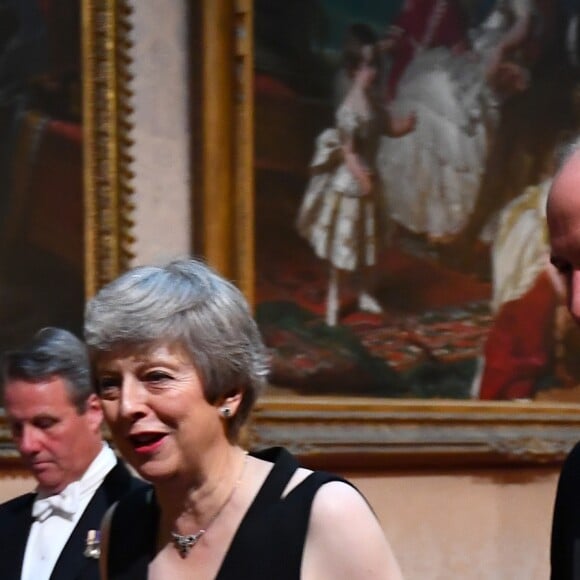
(154,403)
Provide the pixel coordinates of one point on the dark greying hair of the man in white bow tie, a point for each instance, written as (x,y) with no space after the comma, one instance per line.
(51,352)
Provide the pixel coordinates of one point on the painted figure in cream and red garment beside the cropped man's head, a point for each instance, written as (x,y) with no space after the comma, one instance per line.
(527,301)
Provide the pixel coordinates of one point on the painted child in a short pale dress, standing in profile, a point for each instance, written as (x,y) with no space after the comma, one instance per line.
(339,213)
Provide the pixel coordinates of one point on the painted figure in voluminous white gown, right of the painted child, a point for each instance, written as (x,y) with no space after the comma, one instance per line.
(432,176)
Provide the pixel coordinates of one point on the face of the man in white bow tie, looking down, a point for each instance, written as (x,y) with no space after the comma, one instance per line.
(55,441)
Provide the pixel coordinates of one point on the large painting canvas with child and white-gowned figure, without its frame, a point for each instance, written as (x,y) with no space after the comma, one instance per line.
(403,153)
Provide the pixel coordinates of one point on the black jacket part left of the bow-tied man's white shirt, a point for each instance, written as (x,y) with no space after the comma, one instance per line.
(15,523)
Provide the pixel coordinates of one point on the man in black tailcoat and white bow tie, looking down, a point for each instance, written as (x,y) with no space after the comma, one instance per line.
(56,420)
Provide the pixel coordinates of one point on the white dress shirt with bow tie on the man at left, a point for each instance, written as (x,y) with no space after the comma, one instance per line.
(52,527)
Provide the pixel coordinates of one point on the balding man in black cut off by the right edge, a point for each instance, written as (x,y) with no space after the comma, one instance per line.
(563,214)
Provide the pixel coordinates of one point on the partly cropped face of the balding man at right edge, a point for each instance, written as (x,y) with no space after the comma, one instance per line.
(563,213)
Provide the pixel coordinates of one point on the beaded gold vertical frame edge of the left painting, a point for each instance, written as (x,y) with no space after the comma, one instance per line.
(107,126)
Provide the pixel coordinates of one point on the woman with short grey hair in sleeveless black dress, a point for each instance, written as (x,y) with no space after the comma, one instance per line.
(178,364)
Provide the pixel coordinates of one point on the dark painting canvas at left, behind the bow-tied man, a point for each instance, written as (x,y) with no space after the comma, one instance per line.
(41,199)
